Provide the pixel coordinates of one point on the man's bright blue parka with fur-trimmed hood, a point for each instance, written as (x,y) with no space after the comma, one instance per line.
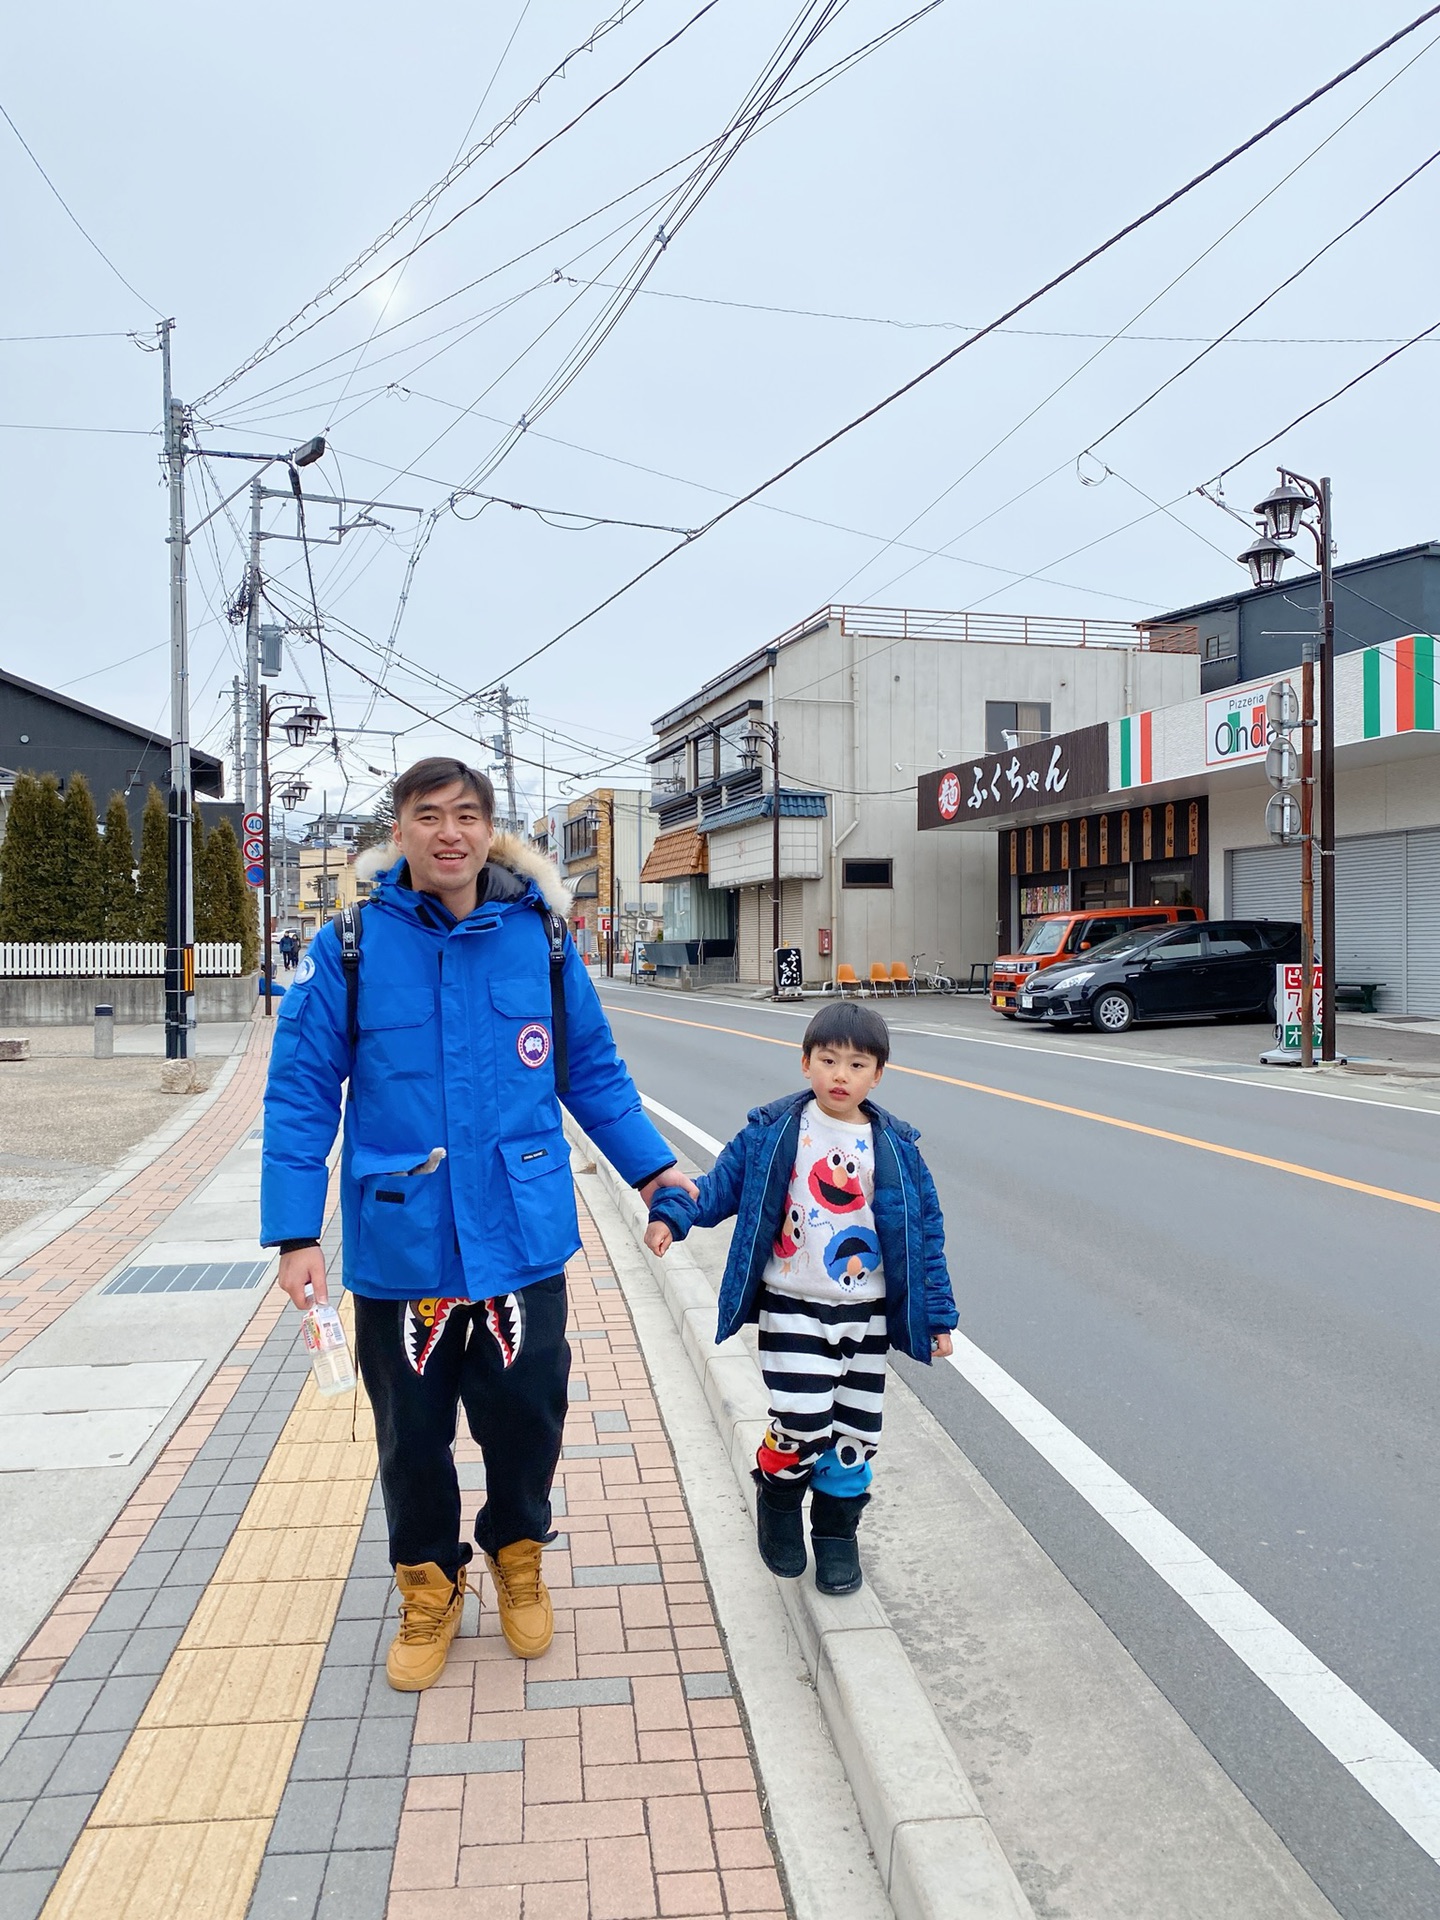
(454,1051)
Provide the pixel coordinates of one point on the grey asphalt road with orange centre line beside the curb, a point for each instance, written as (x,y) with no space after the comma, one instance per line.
(1228,1293)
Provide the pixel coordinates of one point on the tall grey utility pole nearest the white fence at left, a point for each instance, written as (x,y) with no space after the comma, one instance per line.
(180,898)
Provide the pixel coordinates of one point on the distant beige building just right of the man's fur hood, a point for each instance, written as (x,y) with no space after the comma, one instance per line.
(600,838)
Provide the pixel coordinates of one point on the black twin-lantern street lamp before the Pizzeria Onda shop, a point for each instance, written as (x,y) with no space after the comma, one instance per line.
(1289,508)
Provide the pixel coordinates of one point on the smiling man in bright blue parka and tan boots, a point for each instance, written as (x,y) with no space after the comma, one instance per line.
(458,1015)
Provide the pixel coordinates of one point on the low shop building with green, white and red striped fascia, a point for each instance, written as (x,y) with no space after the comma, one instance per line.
(1174,809)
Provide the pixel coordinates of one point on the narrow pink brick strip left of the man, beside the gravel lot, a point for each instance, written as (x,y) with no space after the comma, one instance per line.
(68,1266)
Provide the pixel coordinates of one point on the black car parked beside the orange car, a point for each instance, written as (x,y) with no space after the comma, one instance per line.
(1205,971)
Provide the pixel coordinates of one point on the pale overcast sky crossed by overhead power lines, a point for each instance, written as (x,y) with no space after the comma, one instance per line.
(229,164)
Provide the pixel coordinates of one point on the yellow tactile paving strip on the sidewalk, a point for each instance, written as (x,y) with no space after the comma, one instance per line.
(185,1817)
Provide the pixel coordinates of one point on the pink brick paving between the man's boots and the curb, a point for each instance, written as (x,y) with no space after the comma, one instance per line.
(610,1781)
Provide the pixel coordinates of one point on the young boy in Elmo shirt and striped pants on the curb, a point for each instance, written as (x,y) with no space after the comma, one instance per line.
(838,1257)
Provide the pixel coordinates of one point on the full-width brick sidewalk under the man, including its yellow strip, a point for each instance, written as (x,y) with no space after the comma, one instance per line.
(610,1781)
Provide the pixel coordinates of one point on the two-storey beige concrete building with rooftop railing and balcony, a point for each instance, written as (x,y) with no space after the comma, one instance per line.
(867,700)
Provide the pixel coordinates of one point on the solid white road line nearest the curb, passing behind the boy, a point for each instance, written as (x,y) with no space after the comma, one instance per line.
(1372,1752)
